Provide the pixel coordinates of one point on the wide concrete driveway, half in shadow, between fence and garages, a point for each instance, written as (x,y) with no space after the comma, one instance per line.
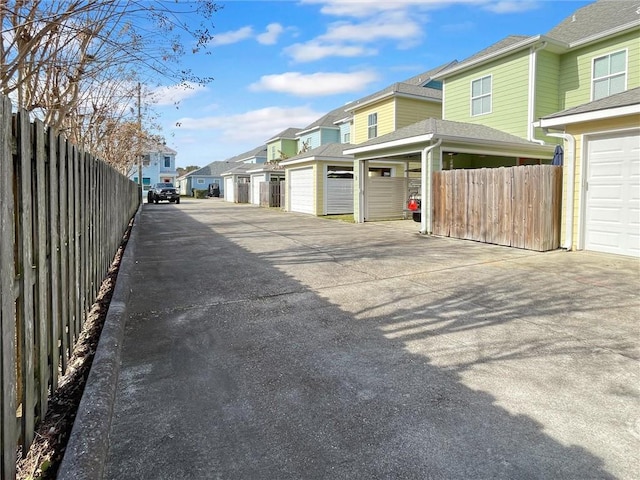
(265,345)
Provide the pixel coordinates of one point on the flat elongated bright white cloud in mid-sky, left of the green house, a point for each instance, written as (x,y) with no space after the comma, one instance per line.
(315,84)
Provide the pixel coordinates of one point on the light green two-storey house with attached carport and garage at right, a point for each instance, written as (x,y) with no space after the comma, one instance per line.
(531,93)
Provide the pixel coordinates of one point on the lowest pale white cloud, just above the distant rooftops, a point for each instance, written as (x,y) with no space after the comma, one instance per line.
(254,126)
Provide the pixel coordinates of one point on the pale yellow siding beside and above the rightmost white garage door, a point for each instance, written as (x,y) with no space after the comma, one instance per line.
(579,130)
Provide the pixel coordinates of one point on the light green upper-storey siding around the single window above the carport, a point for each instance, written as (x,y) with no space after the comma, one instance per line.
(510,93)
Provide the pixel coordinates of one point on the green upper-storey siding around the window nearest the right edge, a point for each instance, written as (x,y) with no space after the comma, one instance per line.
(575,68)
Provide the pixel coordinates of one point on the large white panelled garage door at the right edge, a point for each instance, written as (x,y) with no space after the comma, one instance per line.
(612,213)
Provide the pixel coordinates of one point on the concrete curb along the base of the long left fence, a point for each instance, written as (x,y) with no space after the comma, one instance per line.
(88,443)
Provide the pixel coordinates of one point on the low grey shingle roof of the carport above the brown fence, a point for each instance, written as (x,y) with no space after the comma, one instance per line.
(449,129)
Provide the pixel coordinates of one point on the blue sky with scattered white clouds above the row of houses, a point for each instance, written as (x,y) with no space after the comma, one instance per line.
(280,64)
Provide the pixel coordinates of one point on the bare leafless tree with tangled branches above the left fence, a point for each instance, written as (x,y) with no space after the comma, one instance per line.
(75,64)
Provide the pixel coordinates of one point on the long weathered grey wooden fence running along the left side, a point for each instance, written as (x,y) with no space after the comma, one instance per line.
(62,217)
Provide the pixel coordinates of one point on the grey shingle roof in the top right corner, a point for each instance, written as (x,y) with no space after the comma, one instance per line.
(596,18)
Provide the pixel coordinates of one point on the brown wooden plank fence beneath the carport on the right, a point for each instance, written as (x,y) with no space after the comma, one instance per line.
(515,206)
